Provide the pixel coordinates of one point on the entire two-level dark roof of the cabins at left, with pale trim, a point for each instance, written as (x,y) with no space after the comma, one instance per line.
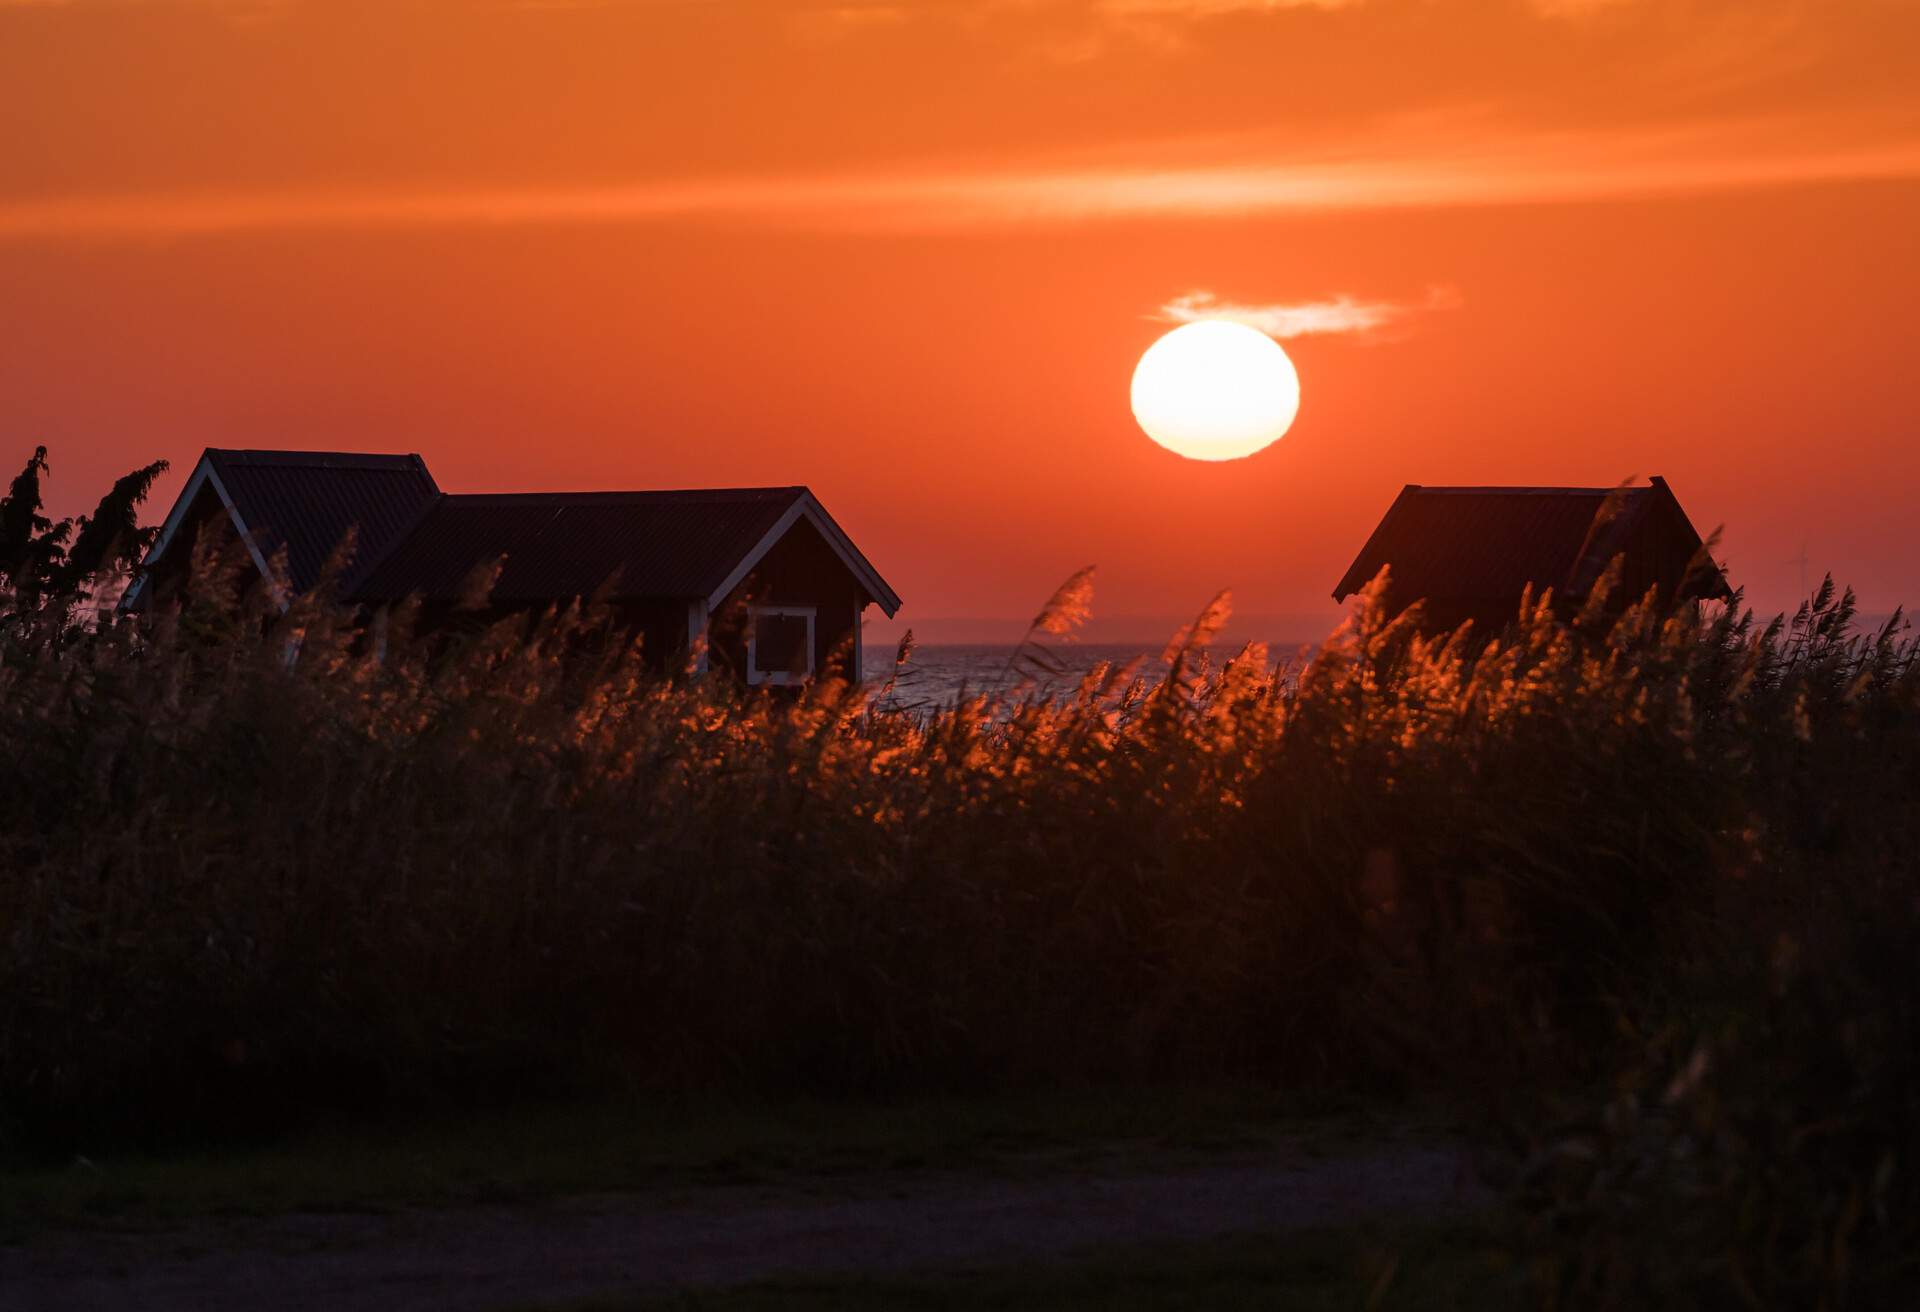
(418,541)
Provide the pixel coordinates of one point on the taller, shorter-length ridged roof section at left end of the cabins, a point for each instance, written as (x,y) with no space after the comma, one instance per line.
(306,502)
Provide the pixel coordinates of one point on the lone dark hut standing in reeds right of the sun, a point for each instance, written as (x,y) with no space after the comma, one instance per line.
(1472,552)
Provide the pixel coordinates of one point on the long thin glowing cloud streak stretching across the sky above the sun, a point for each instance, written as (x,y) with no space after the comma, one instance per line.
(1535,170)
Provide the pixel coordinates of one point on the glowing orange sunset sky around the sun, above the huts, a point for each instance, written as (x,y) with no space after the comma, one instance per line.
(911,253)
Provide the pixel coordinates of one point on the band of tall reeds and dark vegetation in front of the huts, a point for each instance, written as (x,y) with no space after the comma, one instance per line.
(1643,888)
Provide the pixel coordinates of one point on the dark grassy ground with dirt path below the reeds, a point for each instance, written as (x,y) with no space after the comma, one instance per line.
(1061,1205)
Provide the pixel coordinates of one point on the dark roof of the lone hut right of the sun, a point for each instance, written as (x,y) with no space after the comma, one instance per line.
(1489,545)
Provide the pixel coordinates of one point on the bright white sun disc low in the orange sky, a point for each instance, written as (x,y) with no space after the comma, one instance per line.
(1216,391)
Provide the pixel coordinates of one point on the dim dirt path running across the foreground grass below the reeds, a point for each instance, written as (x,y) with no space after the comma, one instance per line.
(504,1257)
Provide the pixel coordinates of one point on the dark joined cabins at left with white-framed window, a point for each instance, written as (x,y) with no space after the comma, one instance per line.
(759,581)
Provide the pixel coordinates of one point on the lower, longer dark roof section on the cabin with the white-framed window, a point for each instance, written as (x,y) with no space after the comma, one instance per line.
(569,545)
